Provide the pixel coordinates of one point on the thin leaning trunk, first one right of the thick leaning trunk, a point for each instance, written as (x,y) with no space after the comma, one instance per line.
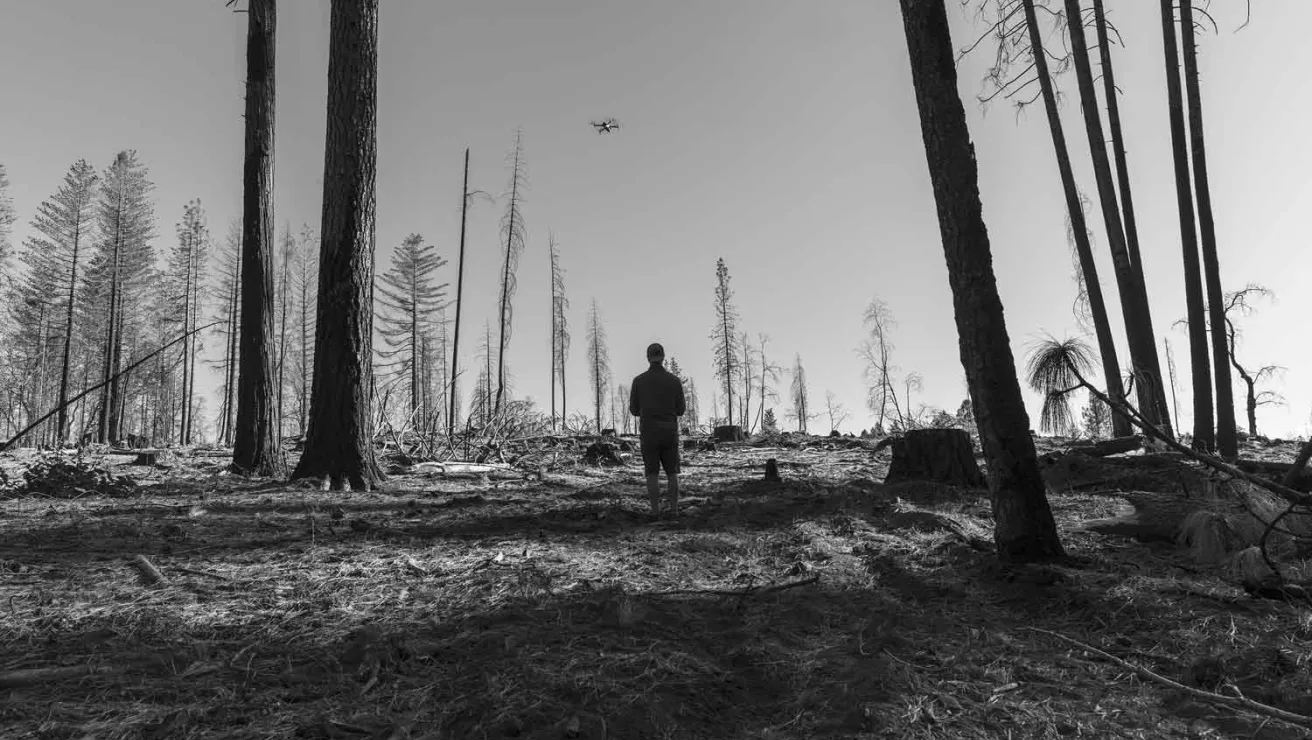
(1121,426)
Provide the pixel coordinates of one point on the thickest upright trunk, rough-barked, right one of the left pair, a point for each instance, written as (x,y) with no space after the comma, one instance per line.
(339,444)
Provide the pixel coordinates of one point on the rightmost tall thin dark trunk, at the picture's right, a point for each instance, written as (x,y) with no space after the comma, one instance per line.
(1227,443)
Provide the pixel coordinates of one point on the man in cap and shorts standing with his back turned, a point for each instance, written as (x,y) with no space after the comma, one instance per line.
(657,400)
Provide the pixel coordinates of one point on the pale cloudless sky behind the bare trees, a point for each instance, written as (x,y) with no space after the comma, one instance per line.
(781,136)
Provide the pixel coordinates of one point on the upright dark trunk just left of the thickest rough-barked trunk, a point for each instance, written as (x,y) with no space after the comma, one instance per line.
(254,448)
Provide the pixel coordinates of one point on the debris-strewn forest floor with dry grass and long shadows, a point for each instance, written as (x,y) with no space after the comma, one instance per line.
(518,606)
